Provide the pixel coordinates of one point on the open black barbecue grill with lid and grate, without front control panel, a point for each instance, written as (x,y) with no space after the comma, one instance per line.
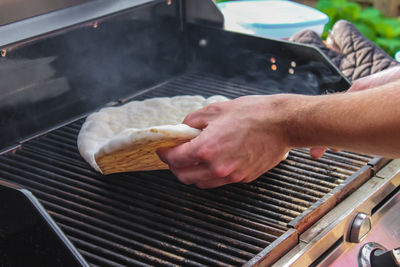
(56,211)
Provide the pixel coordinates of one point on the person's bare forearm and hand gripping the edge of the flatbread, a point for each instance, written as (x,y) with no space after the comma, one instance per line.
(245,137)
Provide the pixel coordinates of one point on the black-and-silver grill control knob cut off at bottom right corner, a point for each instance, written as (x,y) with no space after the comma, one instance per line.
(374,255)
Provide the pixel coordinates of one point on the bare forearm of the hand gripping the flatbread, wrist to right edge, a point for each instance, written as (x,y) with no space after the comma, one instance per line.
(364,121)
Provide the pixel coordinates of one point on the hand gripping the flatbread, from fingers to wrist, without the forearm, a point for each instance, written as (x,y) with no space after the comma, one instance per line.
(240,140)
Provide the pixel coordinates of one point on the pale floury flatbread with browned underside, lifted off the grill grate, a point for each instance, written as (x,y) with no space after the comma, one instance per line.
(126,138)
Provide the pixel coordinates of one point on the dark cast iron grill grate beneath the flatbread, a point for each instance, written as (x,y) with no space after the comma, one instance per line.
(149,218)
